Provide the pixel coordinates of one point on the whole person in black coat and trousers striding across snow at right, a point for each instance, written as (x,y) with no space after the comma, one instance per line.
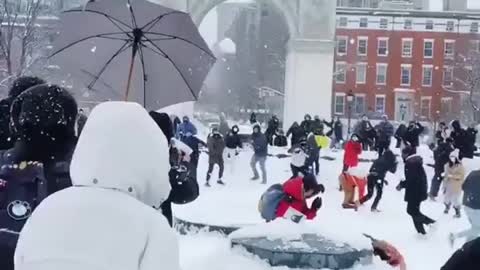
(415,185)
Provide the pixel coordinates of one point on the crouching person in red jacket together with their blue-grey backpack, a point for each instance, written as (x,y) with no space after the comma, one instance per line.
(290,199)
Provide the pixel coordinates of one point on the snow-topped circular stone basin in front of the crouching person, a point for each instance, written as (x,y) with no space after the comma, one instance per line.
(310,251)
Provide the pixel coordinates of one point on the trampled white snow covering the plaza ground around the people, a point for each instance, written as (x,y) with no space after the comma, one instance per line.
(236,204)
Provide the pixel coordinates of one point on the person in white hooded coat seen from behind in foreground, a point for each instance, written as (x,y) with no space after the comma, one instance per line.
(108,219)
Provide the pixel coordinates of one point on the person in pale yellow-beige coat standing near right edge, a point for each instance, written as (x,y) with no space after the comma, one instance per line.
(453,181)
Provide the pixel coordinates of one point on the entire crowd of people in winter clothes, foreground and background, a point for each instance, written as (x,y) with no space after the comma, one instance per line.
(54,159)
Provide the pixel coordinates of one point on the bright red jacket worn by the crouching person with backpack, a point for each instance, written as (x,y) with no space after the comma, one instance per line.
(294,189)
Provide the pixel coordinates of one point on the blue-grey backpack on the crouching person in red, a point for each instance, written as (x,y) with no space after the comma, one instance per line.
(270,200)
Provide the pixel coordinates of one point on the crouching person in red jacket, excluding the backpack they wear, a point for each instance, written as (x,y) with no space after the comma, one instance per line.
(297,191)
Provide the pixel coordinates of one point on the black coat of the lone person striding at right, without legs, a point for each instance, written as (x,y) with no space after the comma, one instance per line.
(415,183)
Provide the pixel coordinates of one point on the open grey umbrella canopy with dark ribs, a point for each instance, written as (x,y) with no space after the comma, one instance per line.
(135,50)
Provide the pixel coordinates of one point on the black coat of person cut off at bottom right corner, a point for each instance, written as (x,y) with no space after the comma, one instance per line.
(465,258)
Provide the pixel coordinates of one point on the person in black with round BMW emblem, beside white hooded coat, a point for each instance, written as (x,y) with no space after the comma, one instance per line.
(43,121)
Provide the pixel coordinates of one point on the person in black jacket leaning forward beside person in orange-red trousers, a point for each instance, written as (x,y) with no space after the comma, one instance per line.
(376,177)
